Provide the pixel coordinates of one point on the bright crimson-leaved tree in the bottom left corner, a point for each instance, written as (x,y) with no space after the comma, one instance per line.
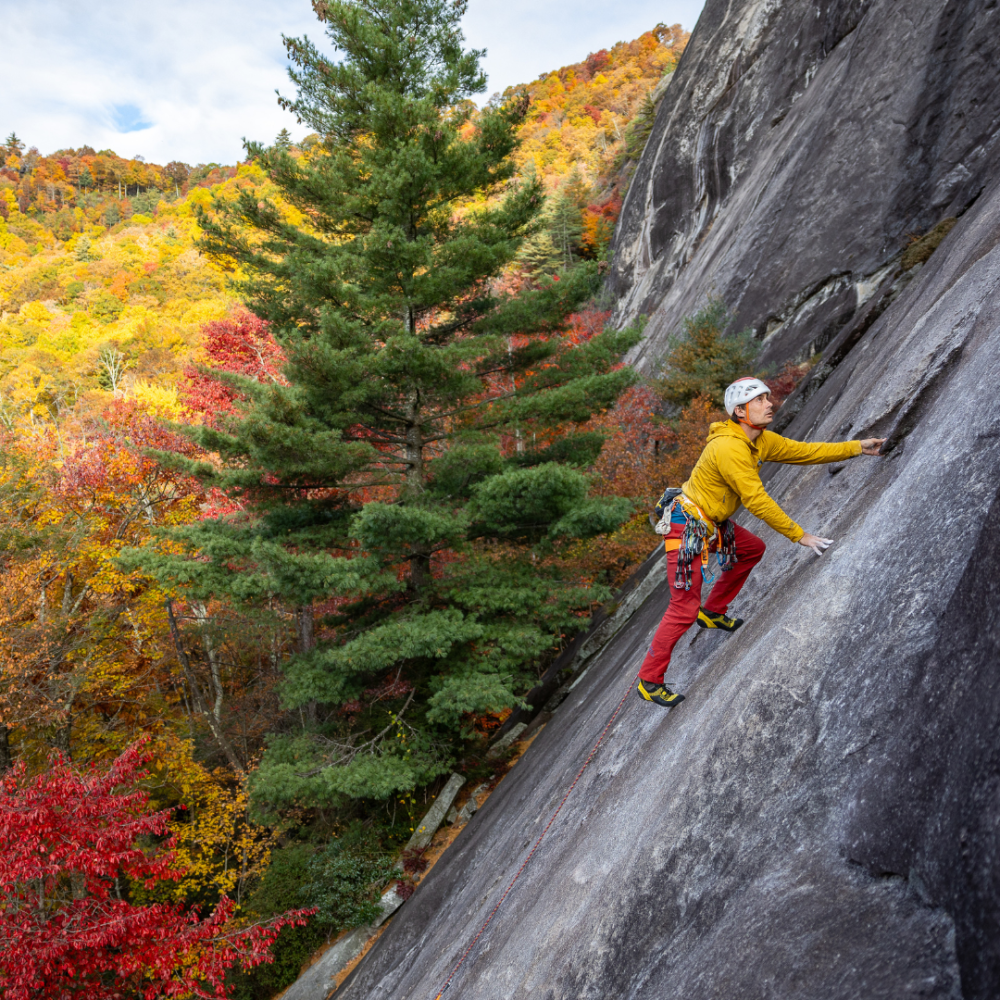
(69,845)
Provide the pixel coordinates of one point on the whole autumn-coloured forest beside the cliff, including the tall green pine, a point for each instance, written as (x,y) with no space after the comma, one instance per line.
(310,465)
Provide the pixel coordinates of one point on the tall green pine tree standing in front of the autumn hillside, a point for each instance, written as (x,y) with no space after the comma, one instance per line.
(397,477)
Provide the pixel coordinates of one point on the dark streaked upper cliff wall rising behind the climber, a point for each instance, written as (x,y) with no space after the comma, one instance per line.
(797,147)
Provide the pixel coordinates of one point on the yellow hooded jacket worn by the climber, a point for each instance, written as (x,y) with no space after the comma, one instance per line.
(727,475)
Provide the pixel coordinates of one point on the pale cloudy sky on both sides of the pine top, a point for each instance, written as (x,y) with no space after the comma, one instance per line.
(188,79)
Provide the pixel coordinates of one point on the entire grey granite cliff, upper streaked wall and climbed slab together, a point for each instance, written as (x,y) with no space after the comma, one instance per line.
(820,819)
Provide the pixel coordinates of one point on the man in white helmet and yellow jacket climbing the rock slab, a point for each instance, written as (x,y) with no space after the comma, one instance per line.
(695,520)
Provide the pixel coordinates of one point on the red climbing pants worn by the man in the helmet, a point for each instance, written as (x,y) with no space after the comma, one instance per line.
(683,608)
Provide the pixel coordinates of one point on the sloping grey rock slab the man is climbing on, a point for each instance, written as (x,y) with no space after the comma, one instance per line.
(820,817)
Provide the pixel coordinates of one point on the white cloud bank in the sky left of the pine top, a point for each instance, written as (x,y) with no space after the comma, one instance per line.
(201,73)
